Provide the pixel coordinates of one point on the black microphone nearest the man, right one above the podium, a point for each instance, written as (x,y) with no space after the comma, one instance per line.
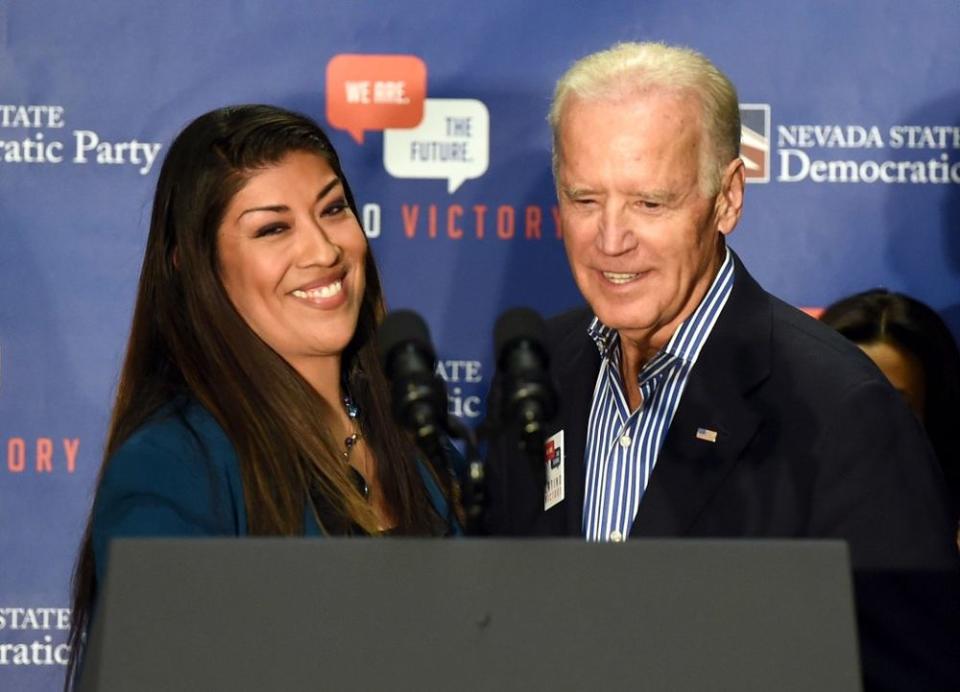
(528,399)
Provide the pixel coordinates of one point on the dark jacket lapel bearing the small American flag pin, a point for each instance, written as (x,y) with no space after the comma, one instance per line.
(691,467)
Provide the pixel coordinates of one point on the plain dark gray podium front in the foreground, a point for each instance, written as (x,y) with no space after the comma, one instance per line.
(405,614)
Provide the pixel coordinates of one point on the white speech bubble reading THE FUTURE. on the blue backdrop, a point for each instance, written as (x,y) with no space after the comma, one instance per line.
(452,142)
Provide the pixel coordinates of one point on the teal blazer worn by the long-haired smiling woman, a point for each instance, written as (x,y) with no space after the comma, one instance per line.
(179,476)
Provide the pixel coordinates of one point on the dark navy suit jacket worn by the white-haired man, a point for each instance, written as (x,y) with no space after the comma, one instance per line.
(812,441)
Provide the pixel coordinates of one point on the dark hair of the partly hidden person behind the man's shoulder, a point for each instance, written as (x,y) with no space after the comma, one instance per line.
(879,315)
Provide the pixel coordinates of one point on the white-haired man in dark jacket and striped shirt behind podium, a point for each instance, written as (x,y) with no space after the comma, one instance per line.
(693,403)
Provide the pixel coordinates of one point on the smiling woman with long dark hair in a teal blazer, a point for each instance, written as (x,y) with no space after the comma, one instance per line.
(251,400)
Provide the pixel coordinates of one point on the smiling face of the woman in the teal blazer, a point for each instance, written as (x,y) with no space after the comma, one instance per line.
(292,260)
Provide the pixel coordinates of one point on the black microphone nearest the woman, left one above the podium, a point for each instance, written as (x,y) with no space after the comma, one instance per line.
(418,396)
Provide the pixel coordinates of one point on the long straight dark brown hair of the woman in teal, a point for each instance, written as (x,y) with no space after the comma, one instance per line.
(188,341)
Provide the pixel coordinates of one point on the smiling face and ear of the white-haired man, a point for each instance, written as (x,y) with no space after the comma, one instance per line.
(642,239)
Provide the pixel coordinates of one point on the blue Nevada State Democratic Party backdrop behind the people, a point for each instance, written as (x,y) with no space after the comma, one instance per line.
(853,112)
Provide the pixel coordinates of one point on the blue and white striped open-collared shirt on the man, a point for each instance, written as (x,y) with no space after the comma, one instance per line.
(622,447)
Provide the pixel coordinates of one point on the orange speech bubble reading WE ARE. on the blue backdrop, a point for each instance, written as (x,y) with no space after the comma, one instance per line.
(373,92)
